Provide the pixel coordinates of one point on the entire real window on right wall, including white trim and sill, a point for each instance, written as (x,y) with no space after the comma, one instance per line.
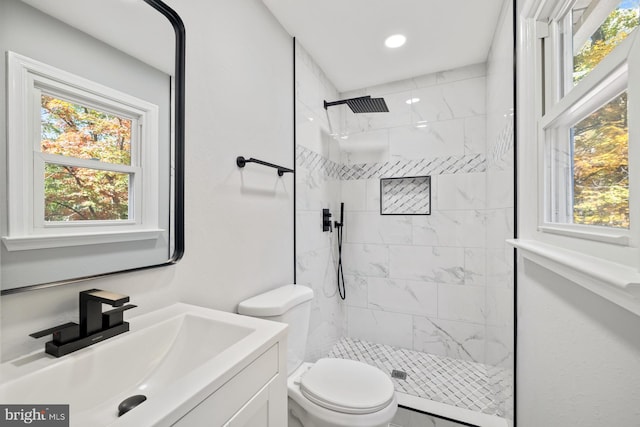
(578,151)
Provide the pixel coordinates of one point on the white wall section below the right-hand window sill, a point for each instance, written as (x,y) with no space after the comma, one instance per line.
(578,355)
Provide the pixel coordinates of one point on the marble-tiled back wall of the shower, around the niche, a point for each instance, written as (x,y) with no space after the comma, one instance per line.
(419,282)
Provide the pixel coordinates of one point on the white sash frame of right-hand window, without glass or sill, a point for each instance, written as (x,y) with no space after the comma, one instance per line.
(564,108)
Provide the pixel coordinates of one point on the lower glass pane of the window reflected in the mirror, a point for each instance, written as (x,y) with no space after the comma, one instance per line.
(81,194)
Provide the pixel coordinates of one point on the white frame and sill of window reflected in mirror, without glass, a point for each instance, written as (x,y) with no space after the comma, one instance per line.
(27,78)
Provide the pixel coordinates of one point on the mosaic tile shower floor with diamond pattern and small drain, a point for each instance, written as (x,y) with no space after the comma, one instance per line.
(460,383)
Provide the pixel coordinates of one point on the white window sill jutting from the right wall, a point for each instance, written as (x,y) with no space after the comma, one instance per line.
(615,282)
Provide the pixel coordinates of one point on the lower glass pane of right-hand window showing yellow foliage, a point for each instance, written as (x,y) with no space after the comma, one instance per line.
(601,167)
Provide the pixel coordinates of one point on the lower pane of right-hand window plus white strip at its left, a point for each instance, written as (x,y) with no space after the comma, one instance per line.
(590,171)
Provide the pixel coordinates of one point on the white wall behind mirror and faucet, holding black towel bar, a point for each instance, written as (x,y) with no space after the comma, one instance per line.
(239,234)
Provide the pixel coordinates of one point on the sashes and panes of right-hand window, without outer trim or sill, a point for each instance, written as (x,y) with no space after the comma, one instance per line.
(584,130)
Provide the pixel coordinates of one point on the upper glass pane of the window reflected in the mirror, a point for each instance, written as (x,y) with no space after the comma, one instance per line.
(74,130)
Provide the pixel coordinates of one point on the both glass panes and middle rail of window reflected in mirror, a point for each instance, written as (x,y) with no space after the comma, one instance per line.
(71,134)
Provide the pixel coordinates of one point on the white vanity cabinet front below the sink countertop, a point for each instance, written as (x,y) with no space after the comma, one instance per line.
(255,397)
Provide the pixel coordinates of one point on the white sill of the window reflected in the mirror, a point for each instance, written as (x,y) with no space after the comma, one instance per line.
(65,240)
